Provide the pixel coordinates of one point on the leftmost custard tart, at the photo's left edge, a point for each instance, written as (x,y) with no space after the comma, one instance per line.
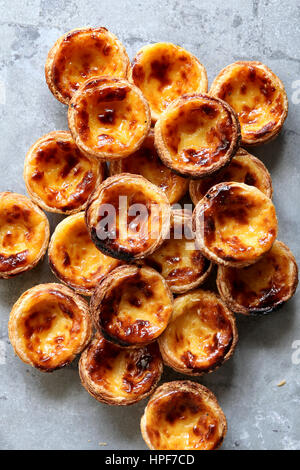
(24,234)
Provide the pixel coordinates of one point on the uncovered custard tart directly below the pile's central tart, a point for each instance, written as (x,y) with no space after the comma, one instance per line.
(132,306)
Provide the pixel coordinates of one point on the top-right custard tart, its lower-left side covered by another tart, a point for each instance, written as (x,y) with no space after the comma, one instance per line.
(258,97)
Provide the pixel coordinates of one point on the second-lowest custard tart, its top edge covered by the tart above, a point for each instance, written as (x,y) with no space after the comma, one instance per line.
(119,376)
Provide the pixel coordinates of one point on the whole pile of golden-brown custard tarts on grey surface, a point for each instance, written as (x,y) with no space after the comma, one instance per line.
(164,135)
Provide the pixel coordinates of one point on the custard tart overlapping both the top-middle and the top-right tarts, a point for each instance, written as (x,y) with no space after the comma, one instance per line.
(197,135)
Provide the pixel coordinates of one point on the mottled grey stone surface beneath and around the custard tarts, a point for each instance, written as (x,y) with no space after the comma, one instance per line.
(53,411)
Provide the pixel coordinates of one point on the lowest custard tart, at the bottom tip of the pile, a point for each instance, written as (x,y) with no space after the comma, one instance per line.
(183,415)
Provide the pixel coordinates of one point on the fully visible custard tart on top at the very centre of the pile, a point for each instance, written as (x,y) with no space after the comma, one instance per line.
(128,217)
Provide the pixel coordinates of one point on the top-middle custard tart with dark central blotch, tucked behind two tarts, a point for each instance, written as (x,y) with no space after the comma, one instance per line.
(164,72)
